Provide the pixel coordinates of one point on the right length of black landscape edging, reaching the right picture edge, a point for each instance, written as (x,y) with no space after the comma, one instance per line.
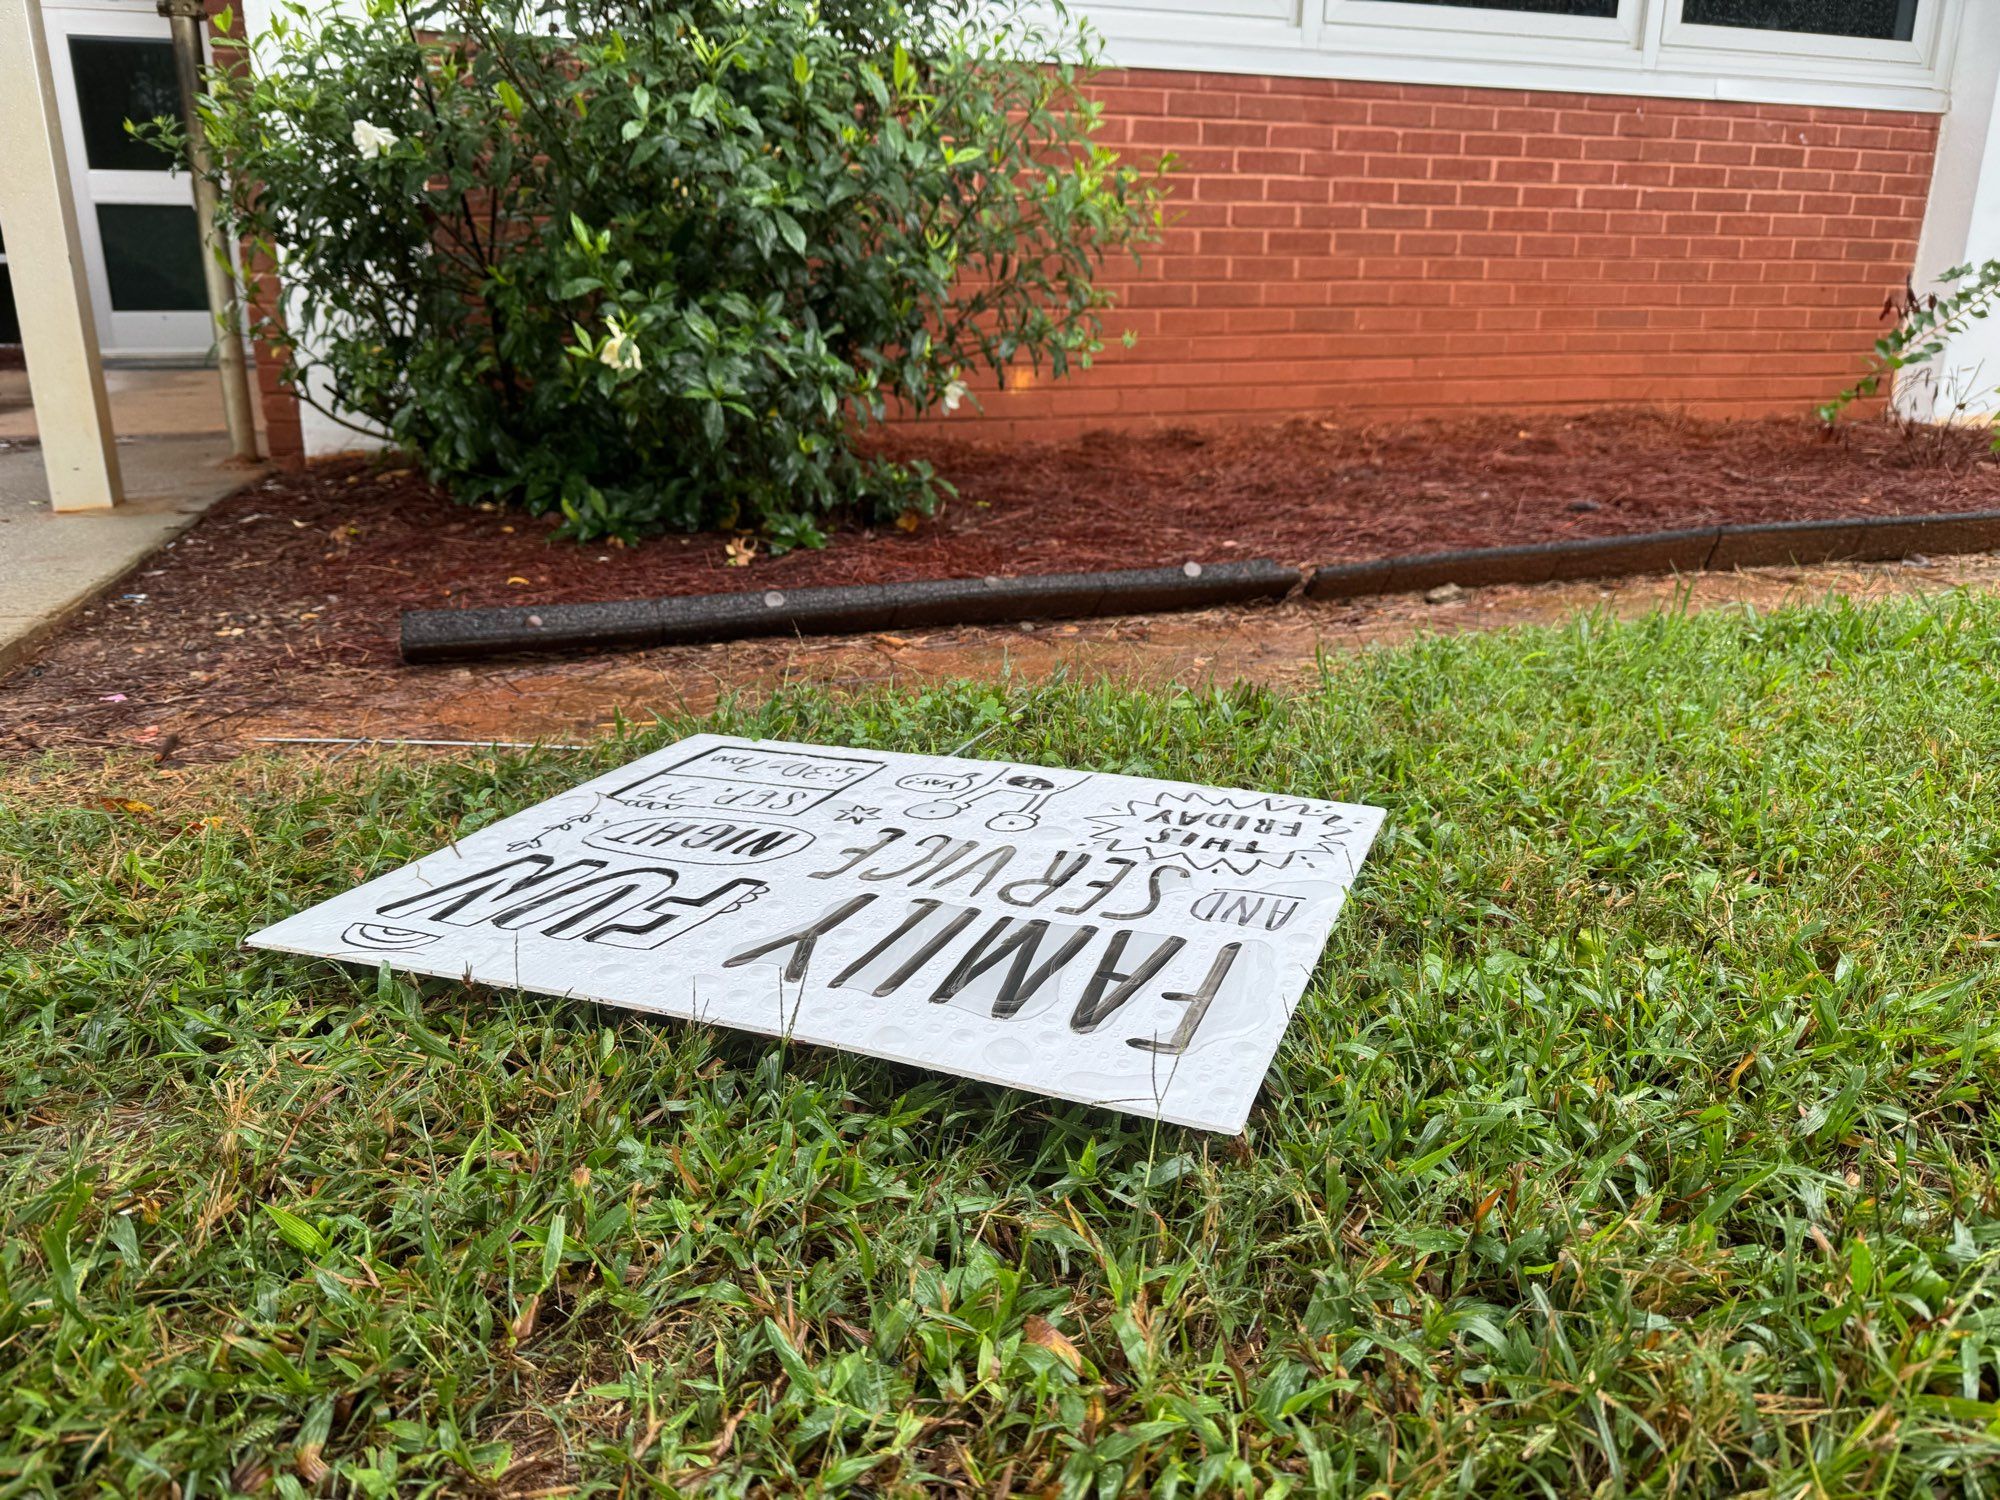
(1875,539)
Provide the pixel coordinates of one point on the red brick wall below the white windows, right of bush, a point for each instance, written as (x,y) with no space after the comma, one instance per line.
(1373,249)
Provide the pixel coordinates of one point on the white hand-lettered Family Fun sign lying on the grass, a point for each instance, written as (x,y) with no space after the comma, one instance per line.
(1101,939)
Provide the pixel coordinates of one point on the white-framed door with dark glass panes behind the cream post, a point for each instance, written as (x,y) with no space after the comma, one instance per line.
(135,215)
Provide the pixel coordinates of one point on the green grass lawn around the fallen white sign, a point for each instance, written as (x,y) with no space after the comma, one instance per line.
(1637,1135)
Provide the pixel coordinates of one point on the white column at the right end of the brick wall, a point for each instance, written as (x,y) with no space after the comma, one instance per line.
(1963,225)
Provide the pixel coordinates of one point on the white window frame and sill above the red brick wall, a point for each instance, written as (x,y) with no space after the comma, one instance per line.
(1647,51)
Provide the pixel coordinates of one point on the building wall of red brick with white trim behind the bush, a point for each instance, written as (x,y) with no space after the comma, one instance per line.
(1389,211)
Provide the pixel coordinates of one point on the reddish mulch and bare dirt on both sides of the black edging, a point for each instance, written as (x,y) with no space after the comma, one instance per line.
(279,611)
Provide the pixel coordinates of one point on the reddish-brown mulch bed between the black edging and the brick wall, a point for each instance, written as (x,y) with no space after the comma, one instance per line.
(311,571)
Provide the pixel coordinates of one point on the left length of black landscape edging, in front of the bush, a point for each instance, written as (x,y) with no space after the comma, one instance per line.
(849,609)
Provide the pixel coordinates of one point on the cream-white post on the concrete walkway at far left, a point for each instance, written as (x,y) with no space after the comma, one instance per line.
(51,295)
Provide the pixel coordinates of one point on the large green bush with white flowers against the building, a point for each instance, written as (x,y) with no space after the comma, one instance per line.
(661,267)
